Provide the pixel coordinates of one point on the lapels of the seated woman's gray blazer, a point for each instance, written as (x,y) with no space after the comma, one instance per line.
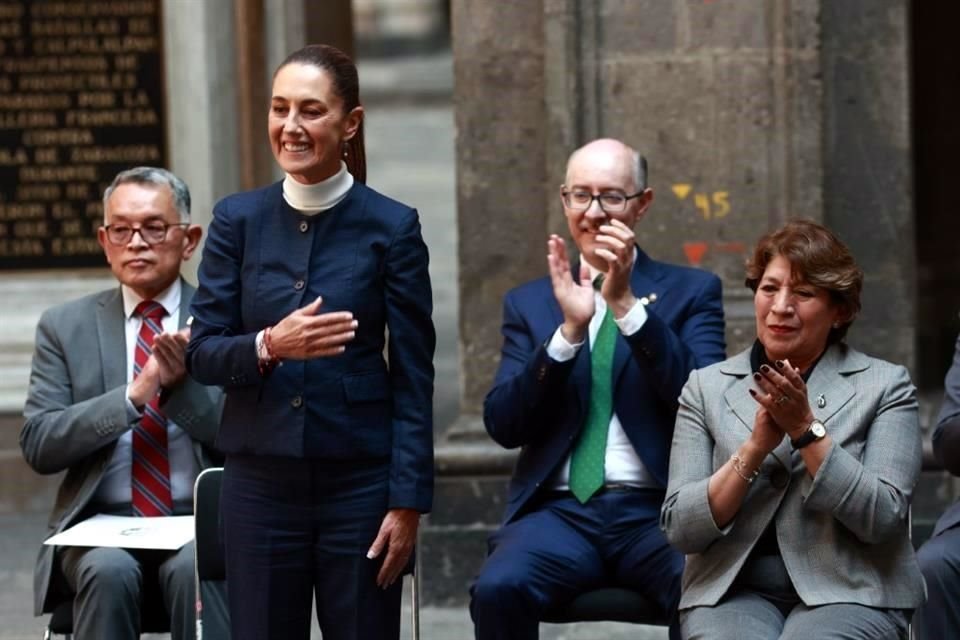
(828,379)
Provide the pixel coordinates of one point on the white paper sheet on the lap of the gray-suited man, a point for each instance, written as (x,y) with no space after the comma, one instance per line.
(170,532)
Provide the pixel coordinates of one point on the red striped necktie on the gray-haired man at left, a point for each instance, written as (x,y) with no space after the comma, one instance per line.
(150,471)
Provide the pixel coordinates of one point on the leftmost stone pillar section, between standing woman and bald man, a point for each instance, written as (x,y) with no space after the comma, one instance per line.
(502,172)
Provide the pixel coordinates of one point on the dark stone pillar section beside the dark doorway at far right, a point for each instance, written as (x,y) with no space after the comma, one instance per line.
(868,168)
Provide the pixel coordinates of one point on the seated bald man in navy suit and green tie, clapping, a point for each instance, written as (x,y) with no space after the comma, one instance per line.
(592,365)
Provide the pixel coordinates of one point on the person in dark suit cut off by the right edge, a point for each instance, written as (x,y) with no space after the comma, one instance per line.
(940,555)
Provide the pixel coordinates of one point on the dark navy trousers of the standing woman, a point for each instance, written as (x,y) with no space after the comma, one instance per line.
(295,530)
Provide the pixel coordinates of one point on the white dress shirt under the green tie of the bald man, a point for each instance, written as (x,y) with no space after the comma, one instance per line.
(622,465)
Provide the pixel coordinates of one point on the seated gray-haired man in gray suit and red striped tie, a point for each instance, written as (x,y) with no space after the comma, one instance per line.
(111,404)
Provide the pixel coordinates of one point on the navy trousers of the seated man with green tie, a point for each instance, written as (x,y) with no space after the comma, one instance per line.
(562,548)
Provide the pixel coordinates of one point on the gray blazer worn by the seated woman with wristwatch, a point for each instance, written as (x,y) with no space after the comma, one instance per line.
(844,533)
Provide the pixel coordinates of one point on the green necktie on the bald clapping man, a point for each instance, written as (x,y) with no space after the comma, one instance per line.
(586,463)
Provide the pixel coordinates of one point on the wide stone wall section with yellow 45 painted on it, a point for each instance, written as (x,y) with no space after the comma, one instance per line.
(724,100)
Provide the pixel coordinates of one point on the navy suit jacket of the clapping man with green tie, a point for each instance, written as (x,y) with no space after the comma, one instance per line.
(540,404)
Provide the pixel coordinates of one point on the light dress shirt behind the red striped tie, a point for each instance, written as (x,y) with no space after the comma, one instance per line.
(114,487)
